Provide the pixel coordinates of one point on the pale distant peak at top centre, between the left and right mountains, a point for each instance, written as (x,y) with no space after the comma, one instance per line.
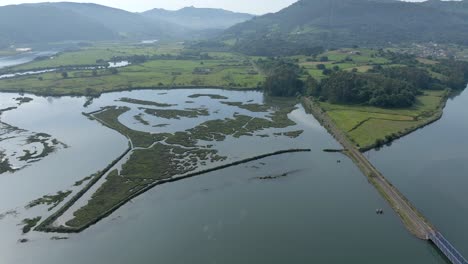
(199,18)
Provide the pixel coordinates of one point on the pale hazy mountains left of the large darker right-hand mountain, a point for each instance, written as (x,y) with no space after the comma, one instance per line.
(53,22)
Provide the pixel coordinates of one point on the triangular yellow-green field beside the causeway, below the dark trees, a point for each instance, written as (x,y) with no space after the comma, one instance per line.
(365,125)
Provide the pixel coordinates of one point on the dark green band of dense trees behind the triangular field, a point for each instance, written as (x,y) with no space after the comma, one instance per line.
(389,87)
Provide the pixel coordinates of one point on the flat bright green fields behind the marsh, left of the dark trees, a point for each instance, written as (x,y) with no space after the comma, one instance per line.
(227,73)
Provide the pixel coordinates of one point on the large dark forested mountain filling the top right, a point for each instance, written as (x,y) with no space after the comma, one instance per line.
(344,23)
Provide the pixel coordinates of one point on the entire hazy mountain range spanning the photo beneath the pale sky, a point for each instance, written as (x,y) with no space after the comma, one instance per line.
(301,26)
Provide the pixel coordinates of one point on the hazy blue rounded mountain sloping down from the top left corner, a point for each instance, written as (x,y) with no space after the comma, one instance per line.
(36,23)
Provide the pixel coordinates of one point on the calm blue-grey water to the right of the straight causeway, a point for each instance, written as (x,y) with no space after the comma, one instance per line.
(430,167)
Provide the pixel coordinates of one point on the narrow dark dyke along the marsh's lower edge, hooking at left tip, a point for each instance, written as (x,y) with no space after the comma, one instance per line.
(46,226)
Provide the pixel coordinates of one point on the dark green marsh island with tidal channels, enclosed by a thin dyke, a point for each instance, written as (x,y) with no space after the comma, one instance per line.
(158,157)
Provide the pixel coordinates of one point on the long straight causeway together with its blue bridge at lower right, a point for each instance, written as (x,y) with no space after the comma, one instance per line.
(413,220)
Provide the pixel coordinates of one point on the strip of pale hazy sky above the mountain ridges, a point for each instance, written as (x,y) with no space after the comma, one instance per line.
(249,6)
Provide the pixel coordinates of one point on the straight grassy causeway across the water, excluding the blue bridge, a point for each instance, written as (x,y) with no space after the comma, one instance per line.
(410,216)
